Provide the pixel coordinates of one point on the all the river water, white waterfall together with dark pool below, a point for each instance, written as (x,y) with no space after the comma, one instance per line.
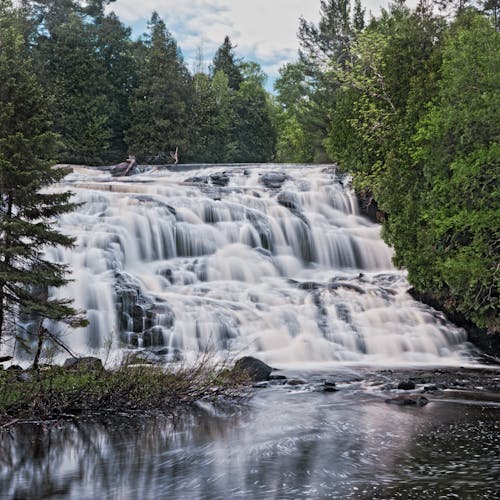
(276,262)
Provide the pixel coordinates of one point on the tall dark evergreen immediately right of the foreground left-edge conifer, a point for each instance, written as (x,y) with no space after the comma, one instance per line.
(68,63)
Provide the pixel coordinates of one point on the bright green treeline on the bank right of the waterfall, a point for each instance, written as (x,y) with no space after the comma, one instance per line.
(409,104)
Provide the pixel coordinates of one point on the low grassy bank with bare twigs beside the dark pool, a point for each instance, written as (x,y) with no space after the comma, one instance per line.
(56,392)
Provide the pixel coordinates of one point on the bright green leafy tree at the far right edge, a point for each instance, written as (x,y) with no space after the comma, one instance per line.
(457,150)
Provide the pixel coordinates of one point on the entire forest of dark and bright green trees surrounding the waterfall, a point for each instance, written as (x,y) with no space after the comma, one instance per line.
(405,101)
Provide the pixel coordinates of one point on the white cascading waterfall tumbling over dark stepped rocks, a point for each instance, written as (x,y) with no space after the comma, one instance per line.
(265,259)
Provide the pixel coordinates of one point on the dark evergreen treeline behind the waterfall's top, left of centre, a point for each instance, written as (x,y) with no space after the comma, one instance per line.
(109,95)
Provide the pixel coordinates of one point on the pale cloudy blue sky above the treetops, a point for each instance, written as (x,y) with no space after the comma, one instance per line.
(264,31)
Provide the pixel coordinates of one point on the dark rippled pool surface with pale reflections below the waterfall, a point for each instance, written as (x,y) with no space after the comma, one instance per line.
(286,444)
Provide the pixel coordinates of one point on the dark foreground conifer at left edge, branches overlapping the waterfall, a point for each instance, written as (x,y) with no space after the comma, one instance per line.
(27,211)
